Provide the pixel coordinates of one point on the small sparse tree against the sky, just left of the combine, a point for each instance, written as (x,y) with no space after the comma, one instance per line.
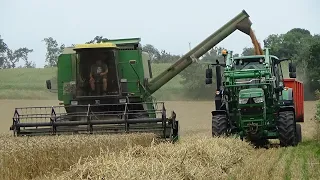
(53,51)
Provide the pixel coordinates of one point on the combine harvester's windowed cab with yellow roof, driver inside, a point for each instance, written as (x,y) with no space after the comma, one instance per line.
(96,70)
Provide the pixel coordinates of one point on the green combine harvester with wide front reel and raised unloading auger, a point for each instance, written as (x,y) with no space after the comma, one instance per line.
(127,106)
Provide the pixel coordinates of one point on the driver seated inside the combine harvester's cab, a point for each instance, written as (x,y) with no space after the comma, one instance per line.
(98,73)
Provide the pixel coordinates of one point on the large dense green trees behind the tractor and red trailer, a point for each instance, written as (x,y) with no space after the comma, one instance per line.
(297,44)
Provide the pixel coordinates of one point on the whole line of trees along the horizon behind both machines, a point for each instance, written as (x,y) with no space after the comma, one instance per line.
(297,44)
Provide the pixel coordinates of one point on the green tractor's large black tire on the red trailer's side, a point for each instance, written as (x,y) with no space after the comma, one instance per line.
(287,129)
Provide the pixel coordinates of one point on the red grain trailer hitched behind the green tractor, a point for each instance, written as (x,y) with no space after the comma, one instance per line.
(298,96)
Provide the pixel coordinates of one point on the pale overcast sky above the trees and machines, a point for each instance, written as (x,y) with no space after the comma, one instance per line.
(167,24)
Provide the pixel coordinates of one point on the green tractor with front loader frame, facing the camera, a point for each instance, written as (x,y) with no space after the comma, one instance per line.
(252,100)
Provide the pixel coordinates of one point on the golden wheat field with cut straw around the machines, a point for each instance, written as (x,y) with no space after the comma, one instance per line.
(140,156)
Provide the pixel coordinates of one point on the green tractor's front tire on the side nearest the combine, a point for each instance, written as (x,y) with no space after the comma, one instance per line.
(219,125)
